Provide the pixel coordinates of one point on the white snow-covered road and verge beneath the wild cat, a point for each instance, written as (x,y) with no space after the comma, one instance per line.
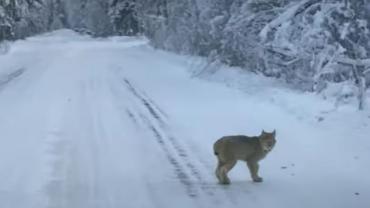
(99,123)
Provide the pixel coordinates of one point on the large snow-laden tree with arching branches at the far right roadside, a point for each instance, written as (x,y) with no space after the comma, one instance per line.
(315,42)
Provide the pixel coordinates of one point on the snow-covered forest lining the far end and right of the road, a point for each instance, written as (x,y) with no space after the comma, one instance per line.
(311,44)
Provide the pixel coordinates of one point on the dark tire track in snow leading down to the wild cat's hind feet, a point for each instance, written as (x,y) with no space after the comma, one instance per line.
(176,153)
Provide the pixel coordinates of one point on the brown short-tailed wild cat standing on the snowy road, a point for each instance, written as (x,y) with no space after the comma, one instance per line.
(230,149)
